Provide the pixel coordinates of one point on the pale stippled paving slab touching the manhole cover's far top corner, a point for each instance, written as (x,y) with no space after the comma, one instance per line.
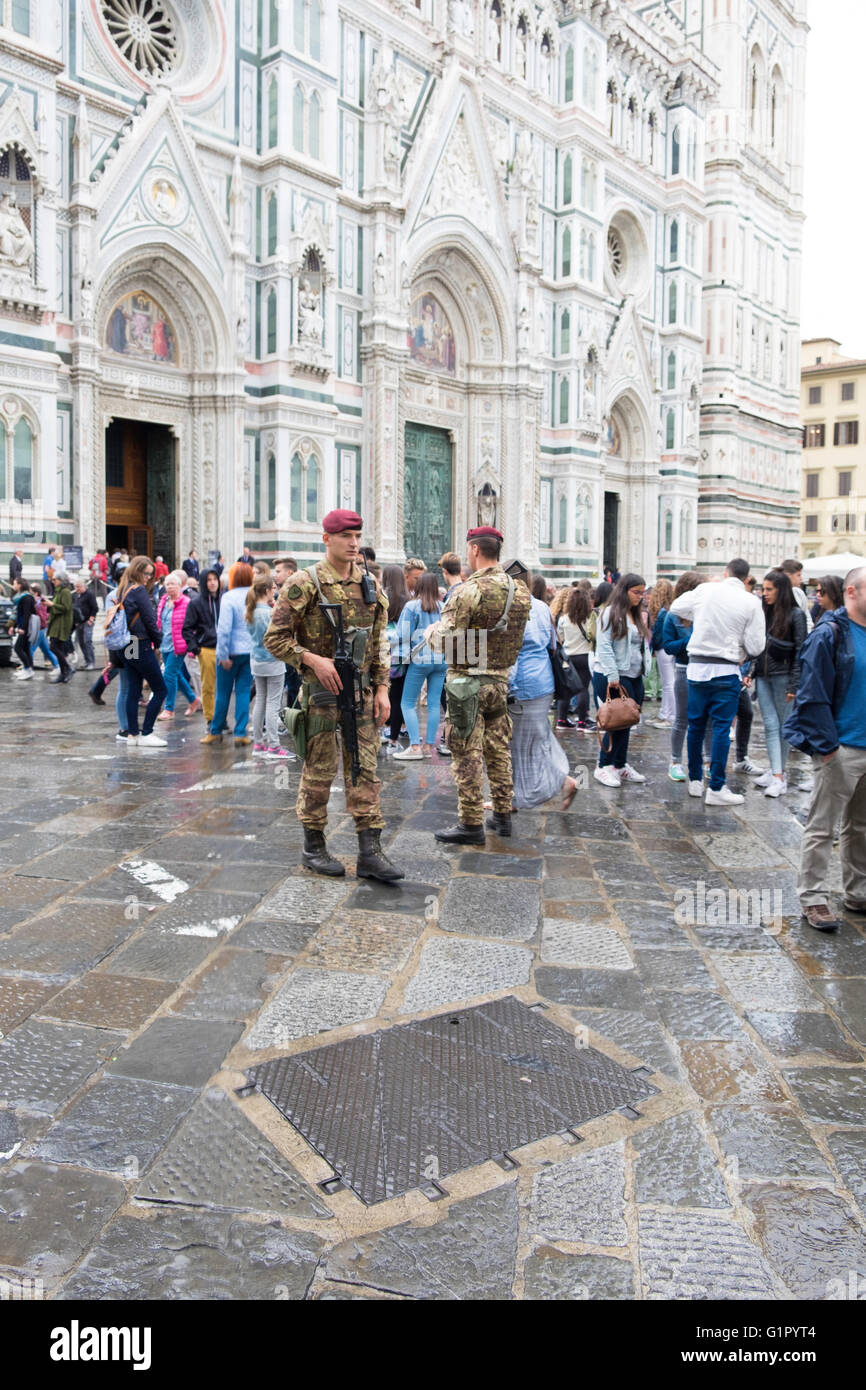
(452,971)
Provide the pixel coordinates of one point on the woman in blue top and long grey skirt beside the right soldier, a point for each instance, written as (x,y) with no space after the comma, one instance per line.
(540,762)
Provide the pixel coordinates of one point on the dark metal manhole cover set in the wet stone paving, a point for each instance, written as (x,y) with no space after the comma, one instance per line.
(394,1110)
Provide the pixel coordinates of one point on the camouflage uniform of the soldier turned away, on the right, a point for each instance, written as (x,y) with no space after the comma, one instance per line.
(475,610)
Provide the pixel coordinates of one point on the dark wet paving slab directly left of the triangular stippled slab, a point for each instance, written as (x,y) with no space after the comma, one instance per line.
(117,1127)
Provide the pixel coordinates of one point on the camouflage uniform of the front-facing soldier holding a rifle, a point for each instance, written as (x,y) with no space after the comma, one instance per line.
(300,626)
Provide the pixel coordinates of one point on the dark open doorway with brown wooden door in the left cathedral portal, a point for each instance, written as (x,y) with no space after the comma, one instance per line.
(141,489)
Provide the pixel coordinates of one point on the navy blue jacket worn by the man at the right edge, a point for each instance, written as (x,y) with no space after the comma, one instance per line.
(826,672)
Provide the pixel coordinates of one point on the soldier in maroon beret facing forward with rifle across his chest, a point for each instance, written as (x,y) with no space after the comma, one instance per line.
(301,636)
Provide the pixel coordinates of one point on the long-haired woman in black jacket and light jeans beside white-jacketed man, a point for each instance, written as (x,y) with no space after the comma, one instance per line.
(776,673)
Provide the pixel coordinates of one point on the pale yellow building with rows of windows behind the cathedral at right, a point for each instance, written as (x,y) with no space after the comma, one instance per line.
(833,507)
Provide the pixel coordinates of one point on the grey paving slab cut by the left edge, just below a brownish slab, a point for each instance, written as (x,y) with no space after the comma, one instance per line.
(44,1064)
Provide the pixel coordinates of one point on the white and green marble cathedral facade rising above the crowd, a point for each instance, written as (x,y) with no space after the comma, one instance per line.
(443,262)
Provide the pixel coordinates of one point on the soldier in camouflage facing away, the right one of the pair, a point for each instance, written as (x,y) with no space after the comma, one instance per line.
(482,632)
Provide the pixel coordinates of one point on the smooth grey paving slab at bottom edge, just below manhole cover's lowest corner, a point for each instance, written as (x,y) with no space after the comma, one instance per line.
(468,1256)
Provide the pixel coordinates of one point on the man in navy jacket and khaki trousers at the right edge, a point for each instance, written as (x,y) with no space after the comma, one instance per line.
(829,722)
